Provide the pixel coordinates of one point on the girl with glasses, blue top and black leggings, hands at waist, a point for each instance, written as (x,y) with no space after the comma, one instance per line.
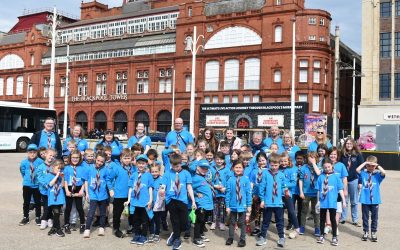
(74,186)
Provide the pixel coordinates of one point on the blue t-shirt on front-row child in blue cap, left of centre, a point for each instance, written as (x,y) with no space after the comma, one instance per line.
(143,196)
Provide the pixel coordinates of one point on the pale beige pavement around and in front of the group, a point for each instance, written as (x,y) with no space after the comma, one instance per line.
(13,236)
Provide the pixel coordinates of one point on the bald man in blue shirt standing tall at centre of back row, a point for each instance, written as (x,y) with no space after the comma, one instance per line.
(178,136)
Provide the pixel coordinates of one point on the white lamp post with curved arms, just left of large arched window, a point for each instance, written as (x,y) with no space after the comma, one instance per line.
(191,44)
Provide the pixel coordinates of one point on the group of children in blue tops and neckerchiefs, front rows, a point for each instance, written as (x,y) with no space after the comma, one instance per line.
(227,188)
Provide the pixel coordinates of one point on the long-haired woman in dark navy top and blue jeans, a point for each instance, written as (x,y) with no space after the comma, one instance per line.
(351,158)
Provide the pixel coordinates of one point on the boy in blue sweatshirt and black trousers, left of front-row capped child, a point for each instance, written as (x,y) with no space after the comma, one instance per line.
(119,178)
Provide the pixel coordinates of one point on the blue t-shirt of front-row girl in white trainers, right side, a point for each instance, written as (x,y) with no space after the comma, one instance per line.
(335,184)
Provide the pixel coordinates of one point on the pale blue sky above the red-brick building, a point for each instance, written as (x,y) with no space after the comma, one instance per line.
(345,13)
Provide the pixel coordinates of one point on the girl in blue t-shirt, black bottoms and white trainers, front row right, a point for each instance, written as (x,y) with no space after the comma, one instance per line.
(329,185)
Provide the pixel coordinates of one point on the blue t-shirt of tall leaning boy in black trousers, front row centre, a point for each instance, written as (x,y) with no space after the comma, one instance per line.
(171,191)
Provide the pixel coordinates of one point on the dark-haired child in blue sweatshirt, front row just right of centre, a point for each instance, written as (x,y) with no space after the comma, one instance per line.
(238,203)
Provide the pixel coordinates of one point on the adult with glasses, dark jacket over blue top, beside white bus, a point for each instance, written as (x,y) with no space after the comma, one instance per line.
(47,137)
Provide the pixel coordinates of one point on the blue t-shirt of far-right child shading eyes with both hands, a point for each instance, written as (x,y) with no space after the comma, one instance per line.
(370,196)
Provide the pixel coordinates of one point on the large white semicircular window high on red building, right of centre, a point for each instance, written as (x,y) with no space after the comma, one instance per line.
(233,37)
